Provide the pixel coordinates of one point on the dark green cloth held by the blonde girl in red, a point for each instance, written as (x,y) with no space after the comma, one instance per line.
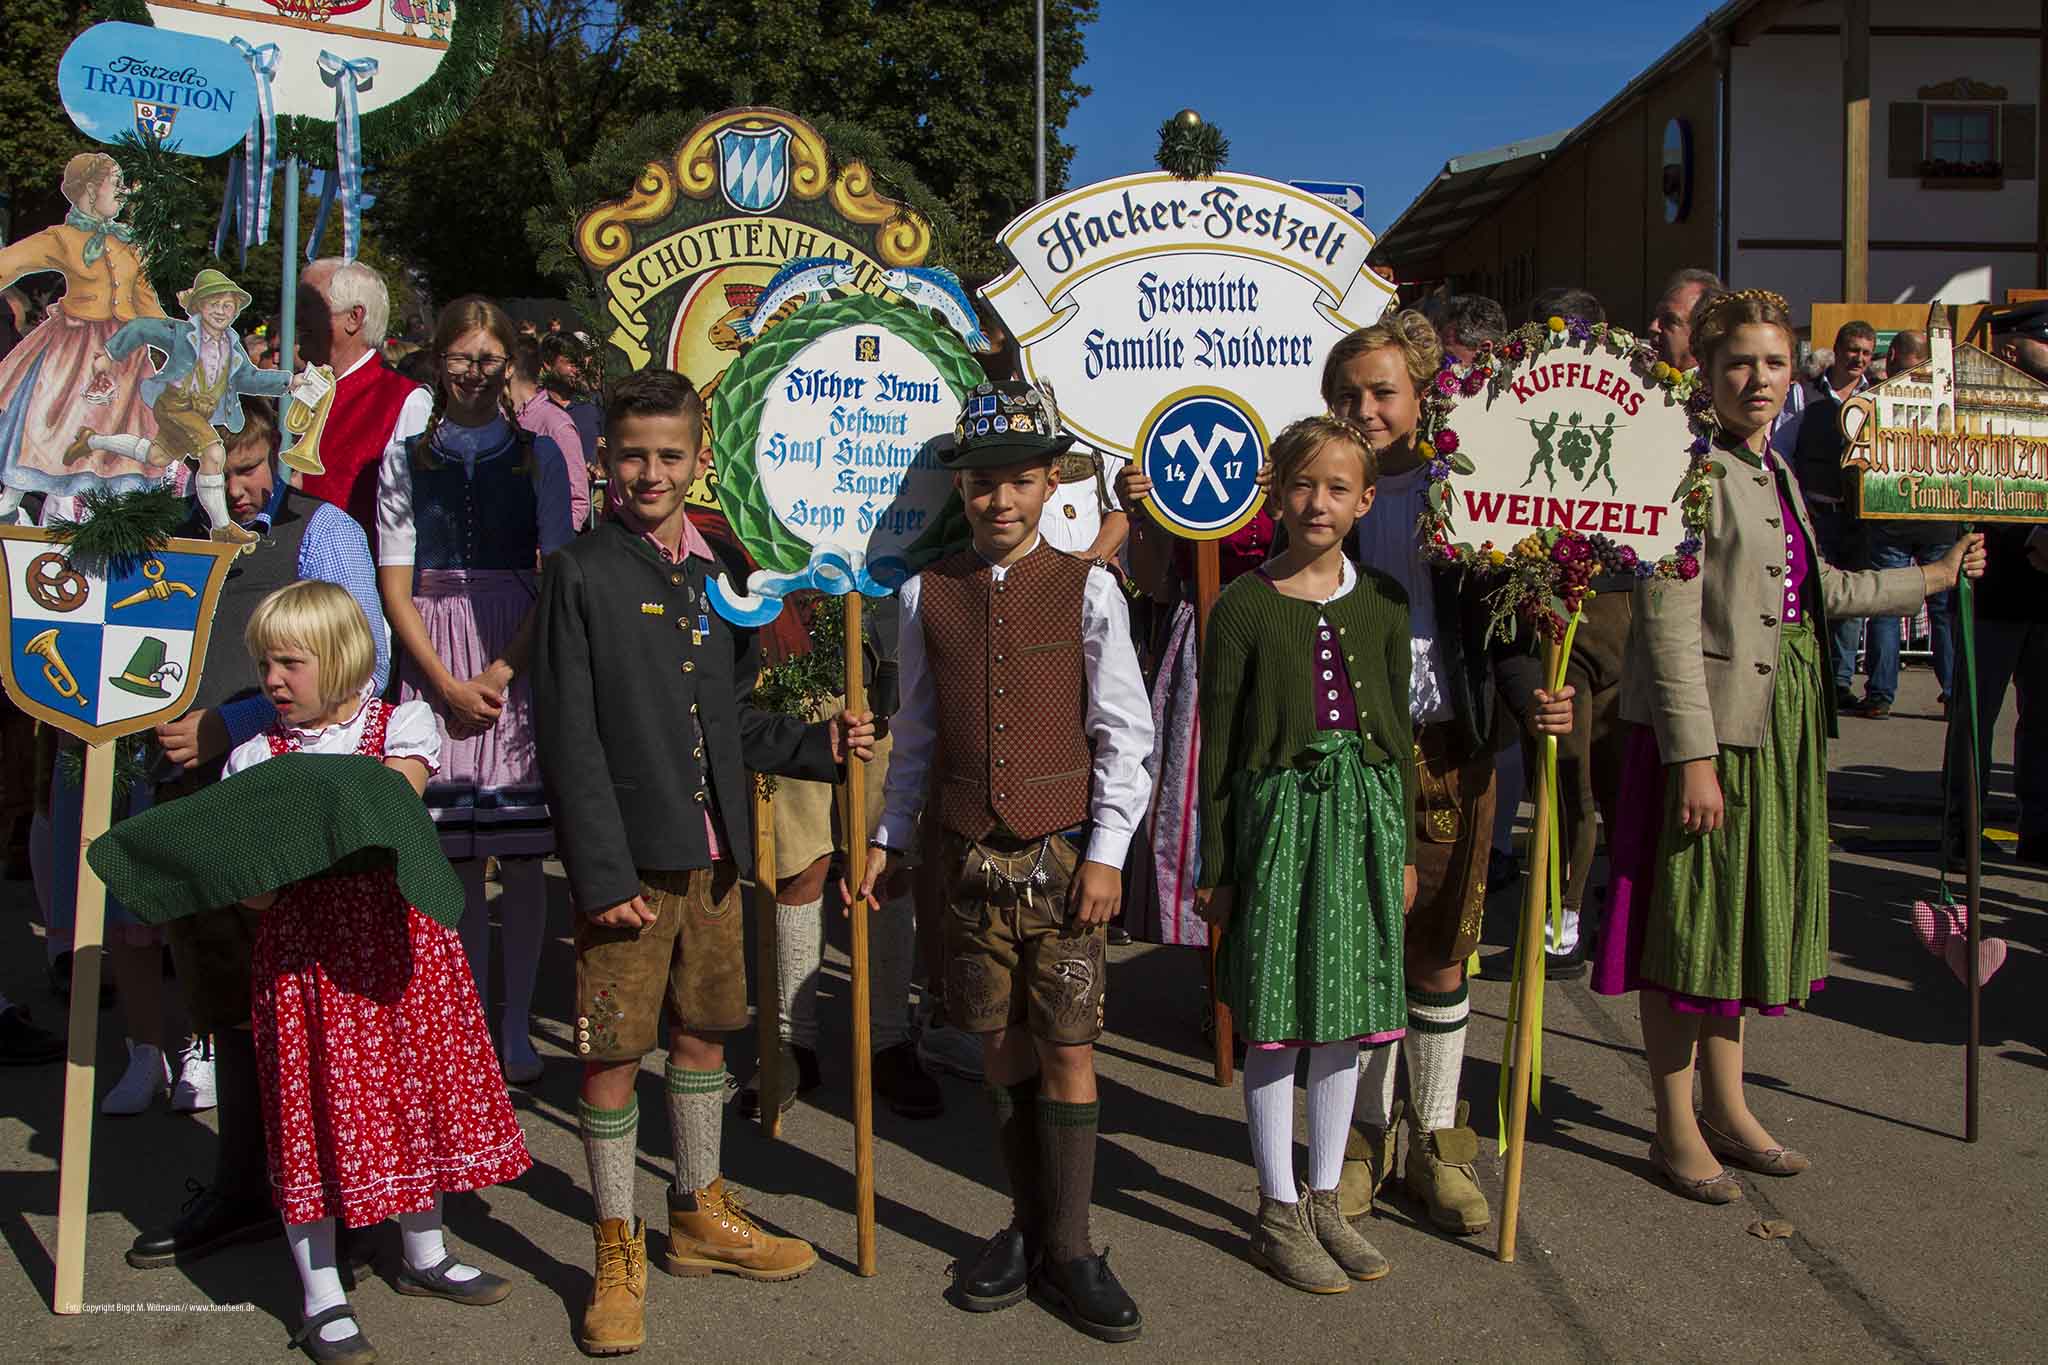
(282,822)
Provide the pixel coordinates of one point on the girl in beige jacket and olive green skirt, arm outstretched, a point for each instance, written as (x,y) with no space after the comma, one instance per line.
(1719,854)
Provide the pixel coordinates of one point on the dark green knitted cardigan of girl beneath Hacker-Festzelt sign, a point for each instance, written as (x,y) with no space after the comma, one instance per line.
(1258,695)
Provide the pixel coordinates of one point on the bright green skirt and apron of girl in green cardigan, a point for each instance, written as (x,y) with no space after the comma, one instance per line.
(1314,949)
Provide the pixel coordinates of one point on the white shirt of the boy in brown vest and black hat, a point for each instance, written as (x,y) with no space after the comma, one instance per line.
(1117,719)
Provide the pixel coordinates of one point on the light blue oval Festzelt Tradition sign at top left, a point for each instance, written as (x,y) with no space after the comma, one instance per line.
(196,95)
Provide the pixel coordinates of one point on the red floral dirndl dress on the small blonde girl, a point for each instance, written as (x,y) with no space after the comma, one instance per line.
(378,1073)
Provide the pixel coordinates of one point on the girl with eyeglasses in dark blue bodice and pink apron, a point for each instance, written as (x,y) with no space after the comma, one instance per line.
(466,511)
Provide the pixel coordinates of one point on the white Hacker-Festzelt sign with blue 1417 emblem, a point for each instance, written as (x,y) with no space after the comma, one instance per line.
(1142,292)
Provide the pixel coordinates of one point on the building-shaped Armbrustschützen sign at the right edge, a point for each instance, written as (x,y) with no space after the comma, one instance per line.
(1959,439)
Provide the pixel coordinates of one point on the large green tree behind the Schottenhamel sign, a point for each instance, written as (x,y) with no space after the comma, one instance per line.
(943,85)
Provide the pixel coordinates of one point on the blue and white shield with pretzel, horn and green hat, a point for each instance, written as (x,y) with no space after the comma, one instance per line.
(105,656)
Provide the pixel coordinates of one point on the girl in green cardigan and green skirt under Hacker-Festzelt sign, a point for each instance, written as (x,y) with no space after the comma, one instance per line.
(1308,801)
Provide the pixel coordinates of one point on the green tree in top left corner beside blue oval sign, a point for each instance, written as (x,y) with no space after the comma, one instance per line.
(36,136)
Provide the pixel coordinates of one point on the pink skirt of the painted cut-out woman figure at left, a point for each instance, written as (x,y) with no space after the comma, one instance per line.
(44,406)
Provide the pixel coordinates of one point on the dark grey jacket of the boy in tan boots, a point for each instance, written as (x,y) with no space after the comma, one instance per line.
(642,728)
